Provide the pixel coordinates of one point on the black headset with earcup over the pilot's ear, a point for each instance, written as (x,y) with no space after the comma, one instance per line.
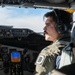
(60,27)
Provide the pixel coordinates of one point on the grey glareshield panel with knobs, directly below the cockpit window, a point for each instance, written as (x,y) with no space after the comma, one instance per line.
(10,32)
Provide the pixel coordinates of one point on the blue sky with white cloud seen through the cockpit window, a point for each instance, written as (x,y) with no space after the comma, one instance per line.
(23,17)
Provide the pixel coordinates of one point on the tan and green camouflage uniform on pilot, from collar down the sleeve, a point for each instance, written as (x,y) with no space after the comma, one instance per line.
(46,60)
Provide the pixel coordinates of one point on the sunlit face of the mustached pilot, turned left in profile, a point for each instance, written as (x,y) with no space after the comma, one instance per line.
(50,32)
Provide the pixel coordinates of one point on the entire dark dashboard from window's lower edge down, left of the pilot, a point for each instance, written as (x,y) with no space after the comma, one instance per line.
(19,49)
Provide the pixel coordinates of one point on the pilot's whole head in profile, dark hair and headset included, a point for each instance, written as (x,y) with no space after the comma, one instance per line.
(57,22)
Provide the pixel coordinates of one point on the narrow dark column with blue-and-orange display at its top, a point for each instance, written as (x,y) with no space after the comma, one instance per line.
(16,64)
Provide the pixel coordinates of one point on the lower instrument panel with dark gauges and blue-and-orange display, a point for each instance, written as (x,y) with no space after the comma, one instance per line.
(17,61)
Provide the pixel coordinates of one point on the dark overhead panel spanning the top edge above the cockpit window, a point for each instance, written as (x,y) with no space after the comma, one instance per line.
(40,3)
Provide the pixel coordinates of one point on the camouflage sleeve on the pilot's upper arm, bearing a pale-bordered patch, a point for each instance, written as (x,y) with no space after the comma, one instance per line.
(44,63)
